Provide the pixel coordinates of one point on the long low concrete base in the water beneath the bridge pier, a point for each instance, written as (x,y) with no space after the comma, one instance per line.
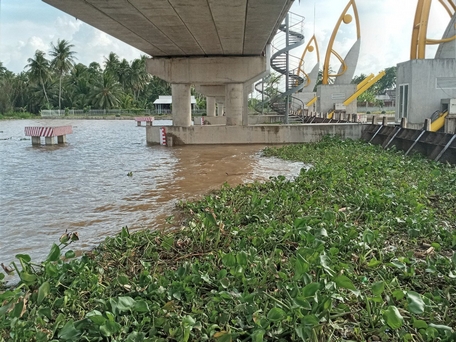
(269,134)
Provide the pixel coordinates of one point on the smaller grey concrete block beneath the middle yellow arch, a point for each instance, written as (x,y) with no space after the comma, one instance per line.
(329,95)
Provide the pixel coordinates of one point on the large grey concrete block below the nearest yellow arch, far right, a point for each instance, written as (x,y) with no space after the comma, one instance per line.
(424,96)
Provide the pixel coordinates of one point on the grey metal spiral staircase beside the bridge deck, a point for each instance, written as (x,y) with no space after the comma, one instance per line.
(277,90)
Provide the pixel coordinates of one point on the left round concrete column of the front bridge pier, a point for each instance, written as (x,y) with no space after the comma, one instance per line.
(182,109)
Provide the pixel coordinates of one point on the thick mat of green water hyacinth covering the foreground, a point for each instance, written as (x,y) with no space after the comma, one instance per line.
(359,247)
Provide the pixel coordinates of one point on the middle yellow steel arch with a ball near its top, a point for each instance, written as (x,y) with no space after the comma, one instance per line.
(346,19)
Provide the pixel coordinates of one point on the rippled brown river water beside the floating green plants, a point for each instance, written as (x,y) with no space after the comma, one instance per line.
(84,185)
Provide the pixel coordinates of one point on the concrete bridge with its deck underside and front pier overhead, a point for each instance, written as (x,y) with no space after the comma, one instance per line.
(220,46)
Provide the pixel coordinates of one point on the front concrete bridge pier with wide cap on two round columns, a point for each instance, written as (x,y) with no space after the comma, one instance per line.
(227,77)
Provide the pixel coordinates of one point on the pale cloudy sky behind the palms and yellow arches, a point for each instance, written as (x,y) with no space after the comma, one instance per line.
(386,27)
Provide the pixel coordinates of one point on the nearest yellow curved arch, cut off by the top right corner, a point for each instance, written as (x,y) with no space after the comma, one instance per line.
(420,24)
